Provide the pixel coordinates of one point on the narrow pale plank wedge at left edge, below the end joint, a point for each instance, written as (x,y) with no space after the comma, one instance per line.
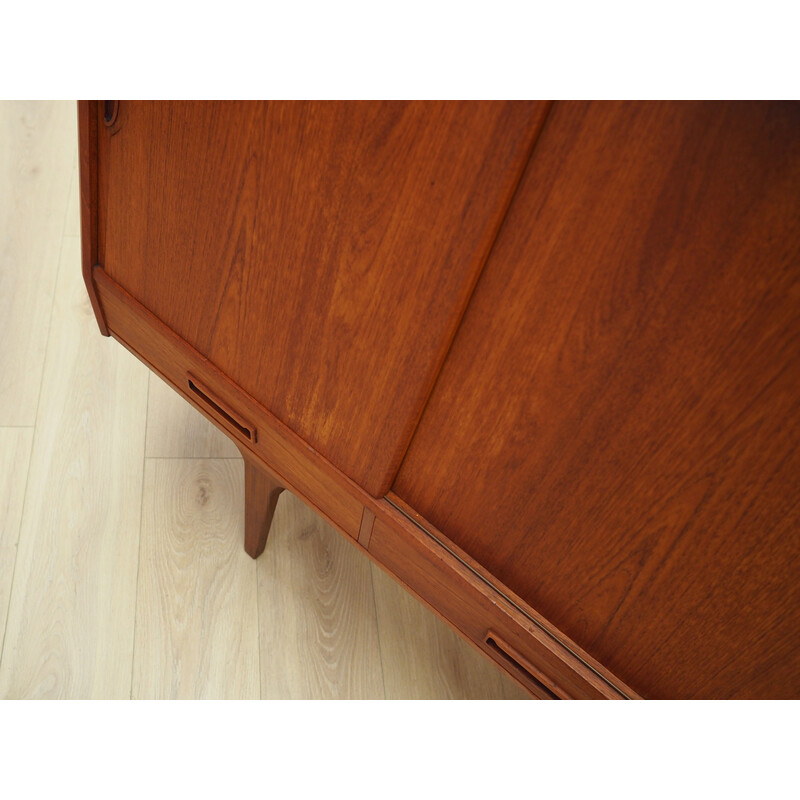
(15,452)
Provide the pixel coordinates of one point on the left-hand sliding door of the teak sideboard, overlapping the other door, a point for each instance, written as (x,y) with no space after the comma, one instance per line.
(320,254)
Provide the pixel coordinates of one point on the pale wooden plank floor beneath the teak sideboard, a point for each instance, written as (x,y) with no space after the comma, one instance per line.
(122,568)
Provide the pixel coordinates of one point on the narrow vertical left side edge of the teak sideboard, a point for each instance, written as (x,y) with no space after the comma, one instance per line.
(87,169)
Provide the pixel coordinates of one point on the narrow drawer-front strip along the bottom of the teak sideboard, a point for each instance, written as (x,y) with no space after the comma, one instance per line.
(345,505)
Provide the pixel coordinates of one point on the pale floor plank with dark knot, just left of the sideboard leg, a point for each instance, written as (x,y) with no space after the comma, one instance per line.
(196,612)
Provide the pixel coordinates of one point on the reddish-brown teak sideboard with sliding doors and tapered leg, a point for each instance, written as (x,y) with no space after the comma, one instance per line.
(541,361)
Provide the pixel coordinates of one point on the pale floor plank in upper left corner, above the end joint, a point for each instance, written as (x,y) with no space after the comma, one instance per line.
(36,167)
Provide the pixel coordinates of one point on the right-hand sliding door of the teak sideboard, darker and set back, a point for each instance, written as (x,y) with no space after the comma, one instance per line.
(615,434)
